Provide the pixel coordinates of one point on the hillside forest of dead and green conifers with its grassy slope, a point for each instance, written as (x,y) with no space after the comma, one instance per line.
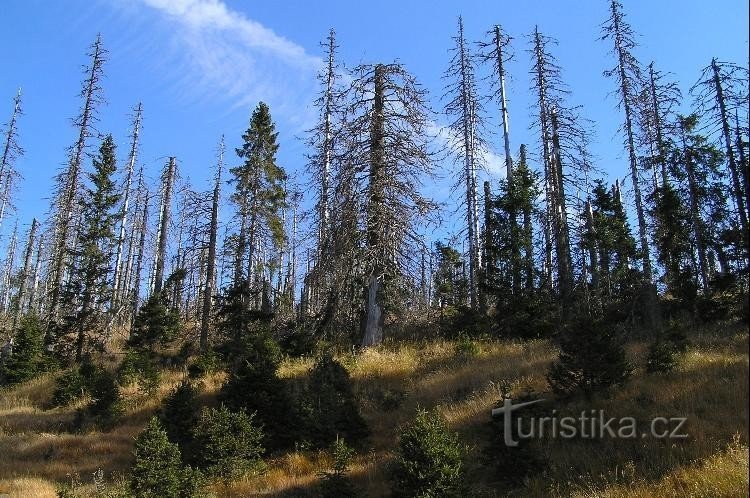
(344,329)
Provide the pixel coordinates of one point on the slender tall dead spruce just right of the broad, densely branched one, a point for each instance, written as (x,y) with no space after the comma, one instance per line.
(464,109)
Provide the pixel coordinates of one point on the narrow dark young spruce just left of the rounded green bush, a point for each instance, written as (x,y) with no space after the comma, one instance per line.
(180,415)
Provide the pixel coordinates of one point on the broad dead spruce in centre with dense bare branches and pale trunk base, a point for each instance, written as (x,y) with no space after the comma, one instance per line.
(389,153)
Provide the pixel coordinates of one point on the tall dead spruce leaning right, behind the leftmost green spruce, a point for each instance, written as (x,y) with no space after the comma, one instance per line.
(67,188)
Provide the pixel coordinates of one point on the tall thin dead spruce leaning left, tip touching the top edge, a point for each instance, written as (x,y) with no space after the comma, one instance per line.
(629,77)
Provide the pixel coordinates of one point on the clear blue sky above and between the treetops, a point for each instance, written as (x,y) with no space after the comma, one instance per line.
(200,66)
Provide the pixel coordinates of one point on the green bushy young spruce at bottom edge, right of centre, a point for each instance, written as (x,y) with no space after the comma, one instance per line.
(429,459)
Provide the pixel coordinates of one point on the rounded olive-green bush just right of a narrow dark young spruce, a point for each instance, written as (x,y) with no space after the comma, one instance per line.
(228,443)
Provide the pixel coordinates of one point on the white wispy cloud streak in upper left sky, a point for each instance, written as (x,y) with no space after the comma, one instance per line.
(225,54)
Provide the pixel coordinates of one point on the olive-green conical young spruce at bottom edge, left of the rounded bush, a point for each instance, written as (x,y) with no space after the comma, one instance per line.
(158,471)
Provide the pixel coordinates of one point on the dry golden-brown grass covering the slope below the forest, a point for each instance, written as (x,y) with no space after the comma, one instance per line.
(38,451)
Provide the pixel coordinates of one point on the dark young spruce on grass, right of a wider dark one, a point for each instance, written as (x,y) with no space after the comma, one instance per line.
(332,409)
